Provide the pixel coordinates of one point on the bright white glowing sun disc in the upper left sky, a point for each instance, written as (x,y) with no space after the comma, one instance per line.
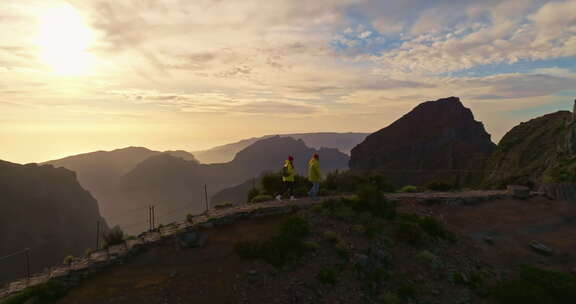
(64,39)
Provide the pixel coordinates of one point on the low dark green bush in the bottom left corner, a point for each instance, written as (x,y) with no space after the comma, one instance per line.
(44,293)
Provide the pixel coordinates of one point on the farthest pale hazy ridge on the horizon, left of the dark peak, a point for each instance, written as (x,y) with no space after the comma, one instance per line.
(341,141)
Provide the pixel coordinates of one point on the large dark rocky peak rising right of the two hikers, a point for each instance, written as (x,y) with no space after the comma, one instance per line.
(437,140)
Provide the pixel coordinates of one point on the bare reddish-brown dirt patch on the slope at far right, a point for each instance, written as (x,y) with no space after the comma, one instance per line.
(512,225)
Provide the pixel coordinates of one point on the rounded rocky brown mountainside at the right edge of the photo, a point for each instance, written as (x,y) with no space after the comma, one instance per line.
(535,152)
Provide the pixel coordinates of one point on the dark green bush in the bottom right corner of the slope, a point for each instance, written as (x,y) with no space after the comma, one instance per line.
(537,286)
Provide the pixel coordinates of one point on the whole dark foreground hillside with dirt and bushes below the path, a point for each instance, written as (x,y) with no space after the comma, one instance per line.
(345,251)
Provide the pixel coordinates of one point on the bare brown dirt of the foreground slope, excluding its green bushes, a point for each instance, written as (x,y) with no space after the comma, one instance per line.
(215,273)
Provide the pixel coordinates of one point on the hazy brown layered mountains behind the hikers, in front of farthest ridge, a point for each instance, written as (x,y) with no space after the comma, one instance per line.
(126,181)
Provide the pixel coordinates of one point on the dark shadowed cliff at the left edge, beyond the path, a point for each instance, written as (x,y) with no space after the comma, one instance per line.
(44,209)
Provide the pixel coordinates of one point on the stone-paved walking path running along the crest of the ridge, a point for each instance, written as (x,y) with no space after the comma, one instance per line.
(83,267)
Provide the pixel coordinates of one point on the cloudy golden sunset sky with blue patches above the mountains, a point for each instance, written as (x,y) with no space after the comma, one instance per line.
(85,75)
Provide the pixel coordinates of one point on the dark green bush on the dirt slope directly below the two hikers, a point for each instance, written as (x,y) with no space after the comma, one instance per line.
(285,246)
